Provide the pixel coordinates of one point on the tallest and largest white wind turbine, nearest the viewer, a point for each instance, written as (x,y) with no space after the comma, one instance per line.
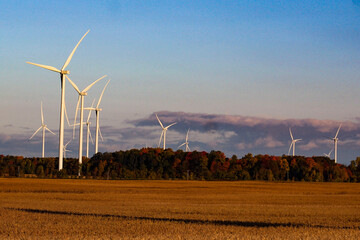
(63,73)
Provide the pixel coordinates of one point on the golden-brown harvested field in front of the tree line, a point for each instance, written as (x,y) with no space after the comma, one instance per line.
(92,209)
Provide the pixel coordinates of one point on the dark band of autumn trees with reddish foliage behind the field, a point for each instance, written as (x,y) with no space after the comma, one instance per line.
(156,163)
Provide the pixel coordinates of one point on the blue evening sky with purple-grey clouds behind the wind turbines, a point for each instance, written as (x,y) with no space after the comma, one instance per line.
(237,73)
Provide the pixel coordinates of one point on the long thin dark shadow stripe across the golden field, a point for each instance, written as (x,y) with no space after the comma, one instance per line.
(197,221)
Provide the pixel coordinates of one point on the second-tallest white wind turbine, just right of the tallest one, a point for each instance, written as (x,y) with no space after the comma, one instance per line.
(81,100)
